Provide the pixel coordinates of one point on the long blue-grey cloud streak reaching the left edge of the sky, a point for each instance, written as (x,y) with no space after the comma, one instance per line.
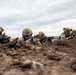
(16,18)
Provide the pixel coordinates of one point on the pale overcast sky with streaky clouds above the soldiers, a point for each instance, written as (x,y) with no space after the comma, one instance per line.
(49,16)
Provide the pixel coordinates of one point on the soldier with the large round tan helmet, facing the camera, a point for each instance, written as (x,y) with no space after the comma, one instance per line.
(26,36)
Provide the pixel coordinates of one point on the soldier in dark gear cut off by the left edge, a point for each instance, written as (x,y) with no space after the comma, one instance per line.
(3,38)
